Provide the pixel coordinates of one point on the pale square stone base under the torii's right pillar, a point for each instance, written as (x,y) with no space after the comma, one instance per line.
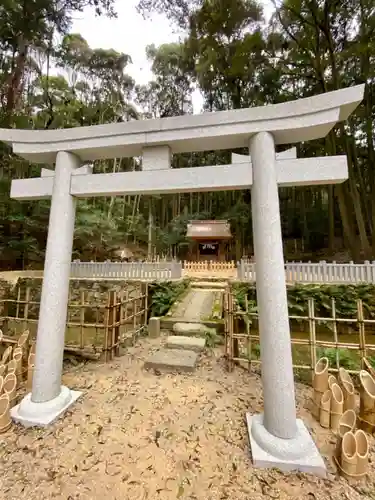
(299,453)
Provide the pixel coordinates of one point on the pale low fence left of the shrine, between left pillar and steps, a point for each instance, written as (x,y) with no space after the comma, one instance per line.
(127,270)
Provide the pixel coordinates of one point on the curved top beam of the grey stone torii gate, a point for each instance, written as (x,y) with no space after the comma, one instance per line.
(289,122)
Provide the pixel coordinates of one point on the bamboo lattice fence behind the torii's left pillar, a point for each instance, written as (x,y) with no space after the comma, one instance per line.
(98,324)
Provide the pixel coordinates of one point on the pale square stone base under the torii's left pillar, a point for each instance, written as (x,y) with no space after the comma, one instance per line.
(30,414)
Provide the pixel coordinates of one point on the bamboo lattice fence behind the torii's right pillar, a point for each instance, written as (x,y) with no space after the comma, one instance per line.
(242,340)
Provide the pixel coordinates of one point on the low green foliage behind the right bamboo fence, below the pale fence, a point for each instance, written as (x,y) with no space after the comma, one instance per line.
(345,296)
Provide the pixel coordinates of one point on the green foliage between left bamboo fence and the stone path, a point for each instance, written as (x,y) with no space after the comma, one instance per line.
(163,295)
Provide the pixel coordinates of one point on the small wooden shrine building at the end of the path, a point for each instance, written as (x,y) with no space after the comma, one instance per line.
(209,239)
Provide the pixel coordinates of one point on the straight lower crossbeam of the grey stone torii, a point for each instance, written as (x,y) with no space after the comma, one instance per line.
(291,172)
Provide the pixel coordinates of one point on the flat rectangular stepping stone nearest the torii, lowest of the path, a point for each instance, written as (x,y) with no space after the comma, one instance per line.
(173,360)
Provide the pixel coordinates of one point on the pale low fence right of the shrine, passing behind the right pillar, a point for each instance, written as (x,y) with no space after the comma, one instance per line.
(321,272)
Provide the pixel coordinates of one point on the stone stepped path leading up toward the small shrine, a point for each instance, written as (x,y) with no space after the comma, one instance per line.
(182,349)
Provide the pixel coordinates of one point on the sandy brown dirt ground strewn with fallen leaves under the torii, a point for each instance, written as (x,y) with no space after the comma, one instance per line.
(137,435)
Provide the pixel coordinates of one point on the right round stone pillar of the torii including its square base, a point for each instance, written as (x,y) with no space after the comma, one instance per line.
(277,437)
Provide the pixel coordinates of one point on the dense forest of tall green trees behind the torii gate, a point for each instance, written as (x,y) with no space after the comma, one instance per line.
(236,59)
